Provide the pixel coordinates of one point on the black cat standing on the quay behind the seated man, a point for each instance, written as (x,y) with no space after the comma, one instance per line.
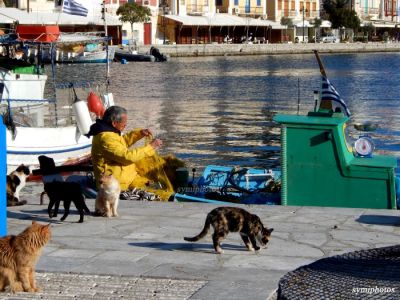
(65,191)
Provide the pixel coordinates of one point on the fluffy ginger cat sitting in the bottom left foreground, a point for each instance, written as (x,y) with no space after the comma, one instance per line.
(18,258)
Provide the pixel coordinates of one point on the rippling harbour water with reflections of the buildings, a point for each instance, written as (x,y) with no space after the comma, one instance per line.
(218,110)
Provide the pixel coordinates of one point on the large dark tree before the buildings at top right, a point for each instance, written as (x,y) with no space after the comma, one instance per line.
(339,14)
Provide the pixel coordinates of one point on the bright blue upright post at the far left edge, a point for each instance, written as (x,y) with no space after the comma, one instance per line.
(3,174)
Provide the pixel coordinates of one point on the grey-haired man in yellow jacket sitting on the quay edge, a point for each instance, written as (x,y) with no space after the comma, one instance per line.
(111,151)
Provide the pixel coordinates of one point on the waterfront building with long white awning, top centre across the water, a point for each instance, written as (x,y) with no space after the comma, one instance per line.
(219,21)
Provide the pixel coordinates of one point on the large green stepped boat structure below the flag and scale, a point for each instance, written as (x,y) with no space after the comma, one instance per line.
(318,169)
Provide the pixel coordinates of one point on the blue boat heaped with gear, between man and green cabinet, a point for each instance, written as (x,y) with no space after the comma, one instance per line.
(222,185)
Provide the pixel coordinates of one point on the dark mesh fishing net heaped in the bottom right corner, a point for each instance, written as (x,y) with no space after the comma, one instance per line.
(365,274)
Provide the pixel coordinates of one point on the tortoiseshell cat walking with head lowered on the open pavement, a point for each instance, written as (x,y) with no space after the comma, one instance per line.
(233,219)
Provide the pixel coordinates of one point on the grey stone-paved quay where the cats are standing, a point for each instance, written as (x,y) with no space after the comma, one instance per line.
(142,254)
